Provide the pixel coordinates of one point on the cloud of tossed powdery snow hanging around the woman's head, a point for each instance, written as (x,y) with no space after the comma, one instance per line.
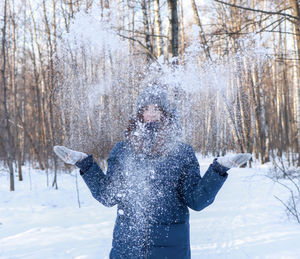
(103,77)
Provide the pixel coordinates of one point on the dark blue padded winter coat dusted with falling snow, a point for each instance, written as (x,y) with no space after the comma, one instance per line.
(153,195)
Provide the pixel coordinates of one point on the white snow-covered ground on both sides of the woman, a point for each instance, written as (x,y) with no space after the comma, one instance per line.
(245,221)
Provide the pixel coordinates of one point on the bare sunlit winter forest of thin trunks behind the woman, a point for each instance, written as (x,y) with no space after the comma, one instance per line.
(72,69)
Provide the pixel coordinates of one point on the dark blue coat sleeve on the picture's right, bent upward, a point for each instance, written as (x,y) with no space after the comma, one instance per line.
(198,192)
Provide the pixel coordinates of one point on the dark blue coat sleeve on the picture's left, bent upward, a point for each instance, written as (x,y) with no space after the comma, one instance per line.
(104,187)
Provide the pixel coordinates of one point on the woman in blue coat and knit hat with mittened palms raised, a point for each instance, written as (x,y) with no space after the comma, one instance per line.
(153,178)
